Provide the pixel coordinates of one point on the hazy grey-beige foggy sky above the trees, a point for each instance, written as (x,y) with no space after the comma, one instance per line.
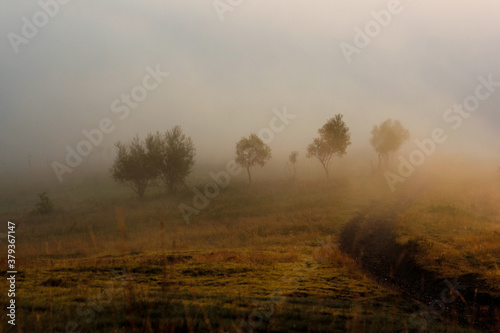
(231,67)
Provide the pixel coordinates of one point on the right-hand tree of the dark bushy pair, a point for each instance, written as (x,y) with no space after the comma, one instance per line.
(173,155)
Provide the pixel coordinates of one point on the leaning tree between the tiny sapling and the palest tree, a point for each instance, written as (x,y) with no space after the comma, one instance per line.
(334,138)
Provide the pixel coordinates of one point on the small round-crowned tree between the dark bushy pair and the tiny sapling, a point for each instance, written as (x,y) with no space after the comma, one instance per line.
(252,151)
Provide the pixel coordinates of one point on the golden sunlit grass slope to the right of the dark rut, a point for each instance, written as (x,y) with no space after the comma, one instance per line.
(460,226)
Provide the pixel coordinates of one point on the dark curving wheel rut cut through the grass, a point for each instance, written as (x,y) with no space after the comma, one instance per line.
(370,239)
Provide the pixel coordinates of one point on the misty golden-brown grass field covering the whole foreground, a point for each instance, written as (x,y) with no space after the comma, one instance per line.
(263,258)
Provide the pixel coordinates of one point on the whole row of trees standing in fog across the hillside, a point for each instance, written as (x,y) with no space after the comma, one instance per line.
(168,158)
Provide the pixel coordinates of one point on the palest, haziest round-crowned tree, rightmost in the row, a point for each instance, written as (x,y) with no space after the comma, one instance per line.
(387,138)
